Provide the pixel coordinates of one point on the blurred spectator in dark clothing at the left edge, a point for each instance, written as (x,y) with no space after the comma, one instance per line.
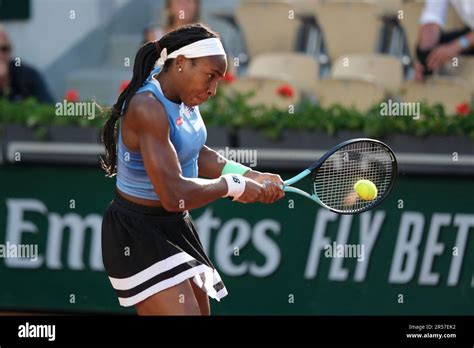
(19,81)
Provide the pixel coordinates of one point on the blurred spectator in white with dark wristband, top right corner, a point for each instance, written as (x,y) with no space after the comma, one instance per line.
(436,47)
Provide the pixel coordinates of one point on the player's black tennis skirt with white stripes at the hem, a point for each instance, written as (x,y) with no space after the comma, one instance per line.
(148,249)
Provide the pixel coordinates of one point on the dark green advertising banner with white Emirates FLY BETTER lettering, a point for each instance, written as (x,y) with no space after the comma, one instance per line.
(414,254)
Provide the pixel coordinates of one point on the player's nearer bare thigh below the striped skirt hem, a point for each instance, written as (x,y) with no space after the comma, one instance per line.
(177,300)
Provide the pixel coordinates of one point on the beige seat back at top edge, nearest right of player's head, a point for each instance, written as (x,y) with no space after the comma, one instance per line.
(280,32)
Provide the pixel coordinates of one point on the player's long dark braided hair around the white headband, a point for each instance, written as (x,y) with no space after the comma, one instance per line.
(145,61)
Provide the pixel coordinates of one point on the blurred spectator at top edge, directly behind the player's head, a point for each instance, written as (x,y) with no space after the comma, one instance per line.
(178,13)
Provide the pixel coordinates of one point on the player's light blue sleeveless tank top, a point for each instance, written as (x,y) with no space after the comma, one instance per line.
(187,134)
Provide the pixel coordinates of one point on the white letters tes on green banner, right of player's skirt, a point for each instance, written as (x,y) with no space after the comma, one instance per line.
(243,234)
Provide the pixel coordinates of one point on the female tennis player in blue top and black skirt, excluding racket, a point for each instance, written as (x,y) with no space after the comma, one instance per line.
(151,251)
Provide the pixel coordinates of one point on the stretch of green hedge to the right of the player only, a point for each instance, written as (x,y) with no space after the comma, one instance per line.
(233,111)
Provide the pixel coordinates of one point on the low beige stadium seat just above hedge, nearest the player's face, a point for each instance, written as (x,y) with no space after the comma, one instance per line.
(266,91)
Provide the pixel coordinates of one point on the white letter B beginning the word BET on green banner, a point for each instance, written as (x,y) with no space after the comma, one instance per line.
(407,247)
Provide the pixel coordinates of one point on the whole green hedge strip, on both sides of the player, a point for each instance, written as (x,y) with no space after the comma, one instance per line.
(234,112)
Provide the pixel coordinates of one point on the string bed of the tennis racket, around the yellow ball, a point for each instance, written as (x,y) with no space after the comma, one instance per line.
(334,180)
